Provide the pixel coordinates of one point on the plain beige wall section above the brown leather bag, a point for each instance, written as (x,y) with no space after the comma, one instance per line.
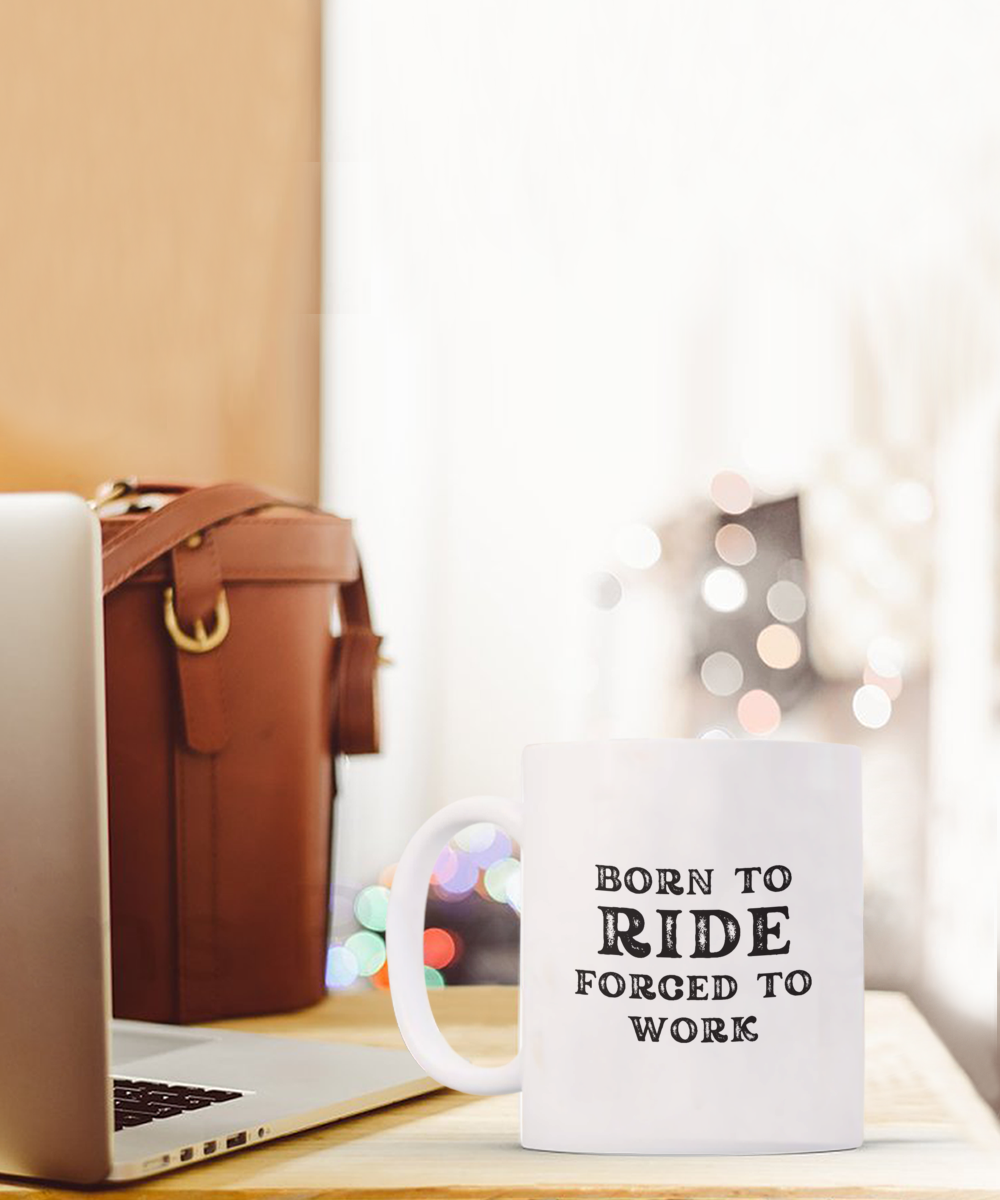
(159,242)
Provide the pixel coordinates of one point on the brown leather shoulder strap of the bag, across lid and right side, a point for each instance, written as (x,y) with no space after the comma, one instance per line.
(355,719)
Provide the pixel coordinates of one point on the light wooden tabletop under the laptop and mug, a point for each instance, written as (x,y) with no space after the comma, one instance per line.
(929,1135)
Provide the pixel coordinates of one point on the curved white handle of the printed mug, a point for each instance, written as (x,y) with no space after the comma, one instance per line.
(405,947)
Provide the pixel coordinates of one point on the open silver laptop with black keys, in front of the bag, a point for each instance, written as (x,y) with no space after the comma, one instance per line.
(85,1099)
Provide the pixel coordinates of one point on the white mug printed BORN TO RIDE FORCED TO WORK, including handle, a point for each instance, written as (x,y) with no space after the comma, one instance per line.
(692,964)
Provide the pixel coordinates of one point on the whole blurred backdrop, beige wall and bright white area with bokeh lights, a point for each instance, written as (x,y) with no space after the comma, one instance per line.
(655,349)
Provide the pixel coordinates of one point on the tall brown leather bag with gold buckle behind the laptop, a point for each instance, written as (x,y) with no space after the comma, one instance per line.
(227,699)
